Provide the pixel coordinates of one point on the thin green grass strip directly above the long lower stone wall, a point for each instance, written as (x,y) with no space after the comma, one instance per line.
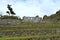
(18,30)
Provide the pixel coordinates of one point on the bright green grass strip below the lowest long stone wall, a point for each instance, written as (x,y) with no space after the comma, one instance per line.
(26,37)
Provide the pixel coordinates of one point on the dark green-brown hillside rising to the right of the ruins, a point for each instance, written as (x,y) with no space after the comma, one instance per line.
(55,16)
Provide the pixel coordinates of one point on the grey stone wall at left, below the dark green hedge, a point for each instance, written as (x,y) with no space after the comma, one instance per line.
(9,21)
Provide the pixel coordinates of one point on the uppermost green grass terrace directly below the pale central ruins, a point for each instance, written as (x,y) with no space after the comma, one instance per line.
(41,24)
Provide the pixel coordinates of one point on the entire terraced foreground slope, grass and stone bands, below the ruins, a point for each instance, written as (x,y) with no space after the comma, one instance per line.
(31,31)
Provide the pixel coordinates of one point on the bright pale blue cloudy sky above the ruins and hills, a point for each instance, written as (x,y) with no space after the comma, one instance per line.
(30,7)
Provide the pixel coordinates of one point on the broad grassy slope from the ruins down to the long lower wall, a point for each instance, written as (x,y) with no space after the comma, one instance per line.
(32,26)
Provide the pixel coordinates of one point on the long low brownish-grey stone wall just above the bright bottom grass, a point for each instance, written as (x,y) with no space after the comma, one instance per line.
(29,32)
